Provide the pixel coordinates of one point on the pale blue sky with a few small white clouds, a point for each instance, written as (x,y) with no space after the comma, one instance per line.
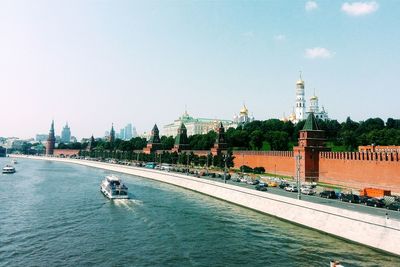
(94,63)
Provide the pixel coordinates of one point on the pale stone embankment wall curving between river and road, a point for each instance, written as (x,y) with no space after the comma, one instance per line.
(375,231)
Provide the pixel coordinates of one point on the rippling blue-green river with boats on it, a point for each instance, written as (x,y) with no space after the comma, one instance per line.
(53,214)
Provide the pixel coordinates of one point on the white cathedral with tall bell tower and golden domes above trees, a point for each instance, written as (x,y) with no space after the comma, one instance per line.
(300,111)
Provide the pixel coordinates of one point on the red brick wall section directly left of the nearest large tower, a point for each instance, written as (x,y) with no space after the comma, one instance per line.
(281,161)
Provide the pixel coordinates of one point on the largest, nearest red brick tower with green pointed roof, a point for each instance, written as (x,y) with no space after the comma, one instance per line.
(311,142)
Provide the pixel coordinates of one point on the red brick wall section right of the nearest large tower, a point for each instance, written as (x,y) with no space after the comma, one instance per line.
(360,170)
